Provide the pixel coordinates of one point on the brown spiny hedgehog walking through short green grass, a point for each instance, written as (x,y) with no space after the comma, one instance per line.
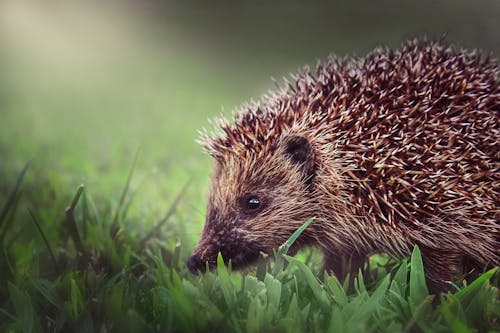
(386,152)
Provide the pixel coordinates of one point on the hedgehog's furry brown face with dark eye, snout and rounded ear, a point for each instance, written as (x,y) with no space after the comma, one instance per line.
(256,203)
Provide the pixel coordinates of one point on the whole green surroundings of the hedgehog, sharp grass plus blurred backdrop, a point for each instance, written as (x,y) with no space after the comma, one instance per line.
(113,100)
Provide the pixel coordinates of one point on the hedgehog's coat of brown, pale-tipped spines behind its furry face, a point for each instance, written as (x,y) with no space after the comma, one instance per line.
(416,129)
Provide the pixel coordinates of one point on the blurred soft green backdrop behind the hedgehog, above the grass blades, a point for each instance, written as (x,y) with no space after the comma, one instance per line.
(84,85)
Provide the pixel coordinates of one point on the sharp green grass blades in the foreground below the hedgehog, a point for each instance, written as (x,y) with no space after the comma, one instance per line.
(89,275)
